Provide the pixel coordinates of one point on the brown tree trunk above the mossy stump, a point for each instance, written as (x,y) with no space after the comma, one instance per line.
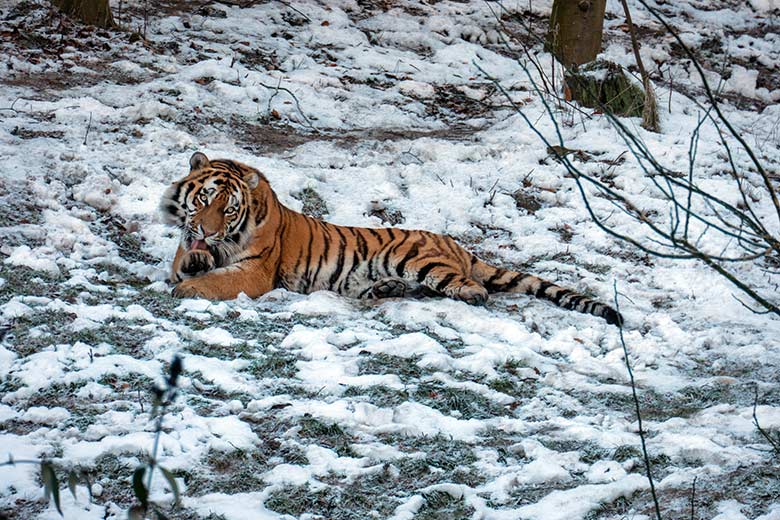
(575,30)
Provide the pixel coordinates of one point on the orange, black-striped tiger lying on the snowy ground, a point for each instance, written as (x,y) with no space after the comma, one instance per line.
(237,237)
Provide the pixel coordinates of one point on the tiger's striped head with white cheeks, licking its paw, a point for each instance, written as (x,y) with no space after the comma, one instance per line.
(212,206)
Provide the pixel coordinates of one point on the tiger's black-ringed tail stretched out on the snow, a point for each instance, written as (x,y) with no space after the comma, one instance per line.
(497,280)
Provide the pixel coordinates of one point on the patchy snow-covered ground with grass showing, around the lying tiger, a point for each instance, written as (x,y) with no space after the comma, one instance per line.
(372,114)
